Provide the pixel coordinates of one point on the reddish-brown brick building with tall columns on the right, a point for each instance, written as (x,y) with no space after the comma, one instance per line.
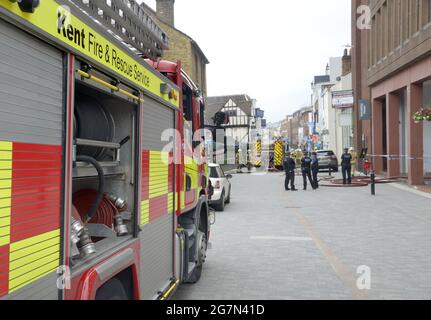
(391,63)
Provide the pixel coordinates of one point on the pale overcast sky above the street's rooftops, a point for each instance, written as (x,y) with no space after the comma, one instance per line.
(268,49)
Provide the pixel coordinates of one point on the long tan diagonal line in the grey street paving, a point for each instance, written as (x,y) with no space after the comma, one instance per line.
(340,269)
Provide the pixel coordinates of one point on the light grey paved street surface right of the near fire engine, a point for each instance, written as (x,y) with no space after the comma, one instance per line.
(272,244)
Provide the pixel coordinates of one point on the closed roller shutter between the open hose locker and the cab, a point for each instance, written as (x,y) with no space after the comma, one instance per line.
(157,207)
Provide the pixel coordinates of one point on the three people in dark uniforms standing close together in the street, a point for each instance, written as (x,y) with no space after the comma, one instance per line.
(309,169)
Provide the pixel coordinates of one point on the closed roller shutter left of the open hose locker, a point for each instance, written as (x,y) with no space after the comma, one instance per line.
(31,131)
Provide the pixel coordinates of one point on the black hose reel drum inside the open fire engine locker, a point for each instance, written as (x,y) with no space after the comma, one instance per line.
(92,122)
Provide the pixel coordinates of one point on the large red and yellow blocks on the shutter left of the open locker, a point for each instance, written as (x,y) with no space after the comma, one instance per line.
(30,192)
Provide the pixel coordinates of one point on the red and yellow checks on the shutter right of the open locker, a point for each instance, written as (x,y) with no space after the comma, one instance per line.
(157,185)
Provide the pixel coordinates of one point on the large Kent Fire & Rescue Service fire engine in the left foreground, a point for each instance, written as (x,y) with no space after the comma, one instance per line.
(98,200)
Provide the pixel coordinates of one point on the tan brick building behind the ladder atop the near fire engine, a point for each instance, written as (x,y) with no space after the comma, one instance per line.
(181,46)
